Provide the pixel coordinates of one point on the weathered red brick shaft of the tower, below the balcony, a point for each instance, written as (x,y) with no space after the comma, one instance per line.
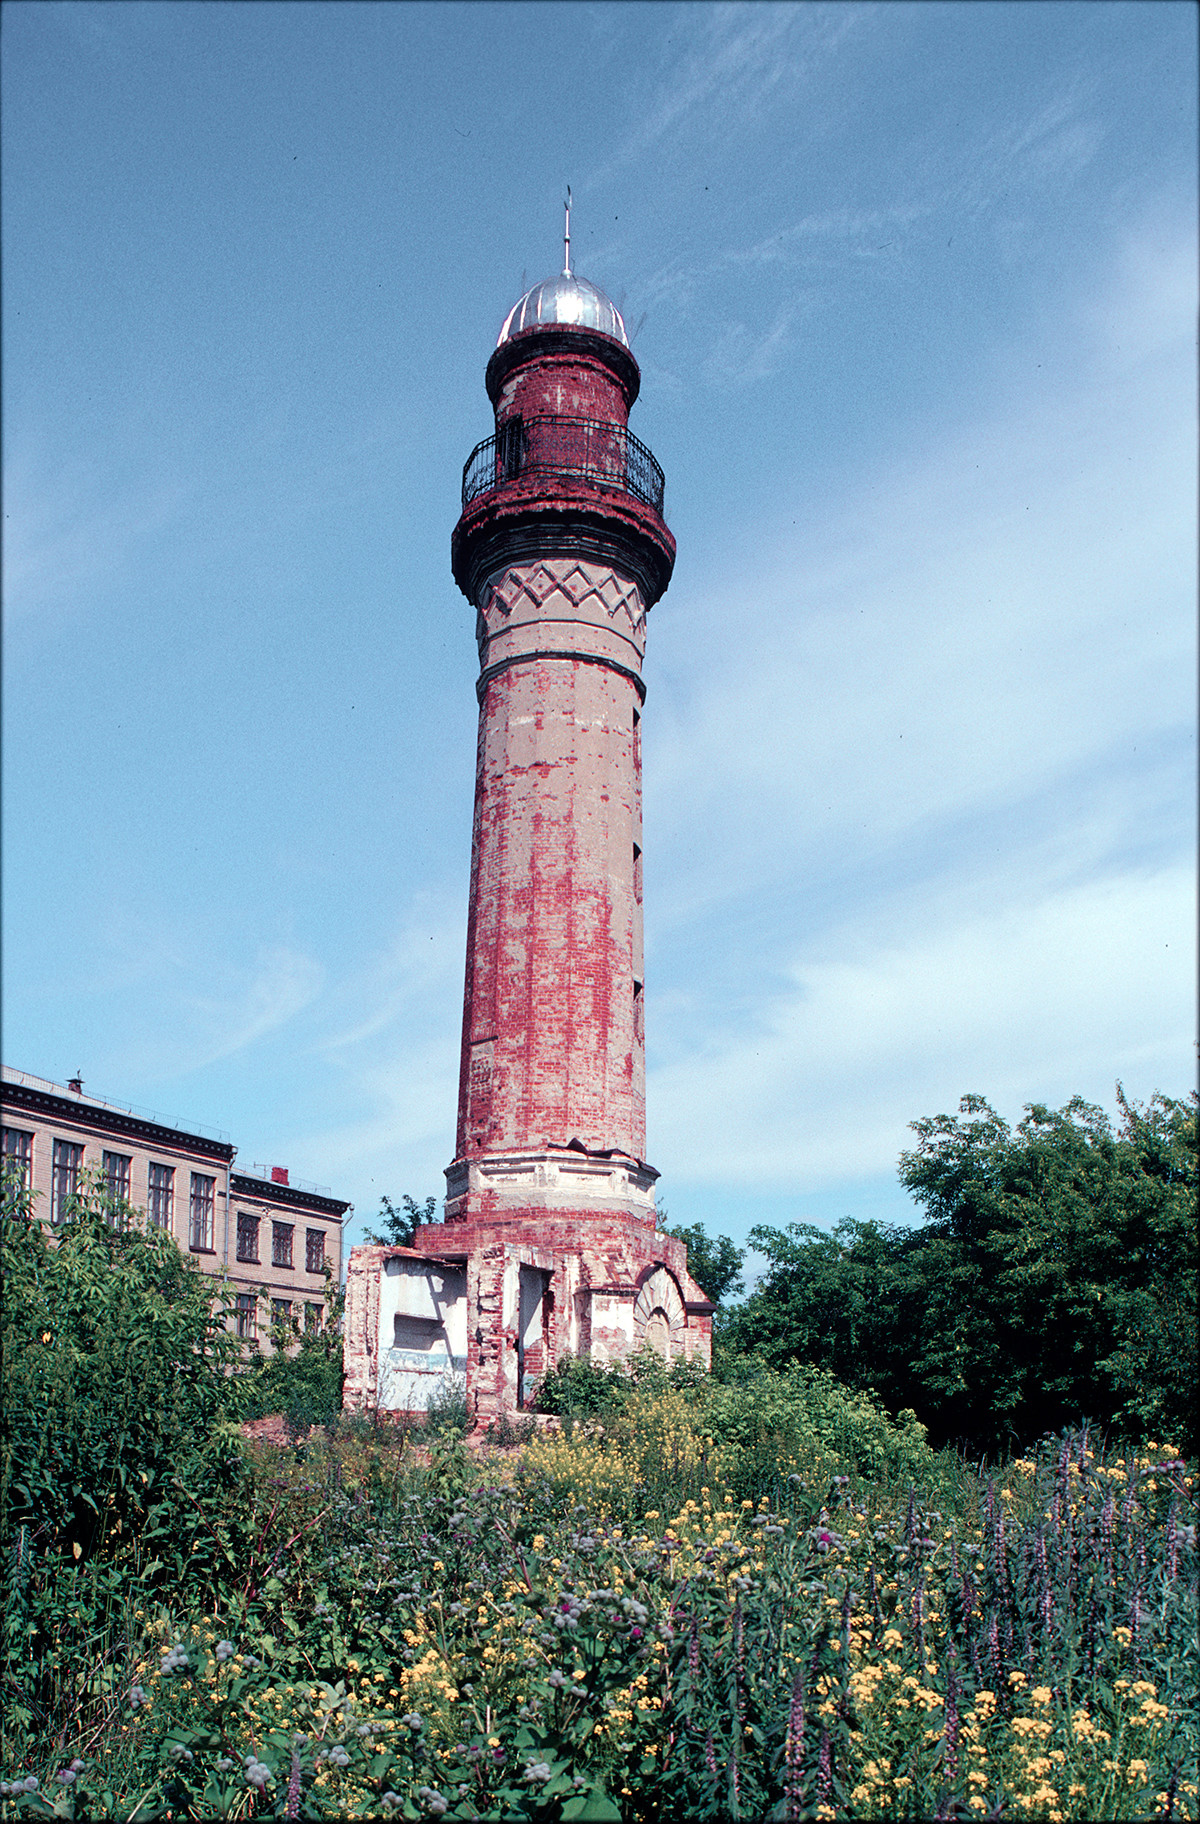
(552,1028)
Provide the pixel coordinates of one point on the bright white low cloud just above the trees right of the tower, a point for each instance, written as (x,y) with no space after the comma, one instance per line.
(1015,1002)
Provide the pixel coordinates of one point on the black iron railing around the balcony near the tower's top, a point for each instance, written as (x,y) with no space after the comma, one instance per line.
(586,448)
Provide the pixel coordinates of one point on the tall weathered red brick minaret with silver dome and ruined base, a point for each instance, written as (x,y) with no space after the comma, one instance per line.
(550,1238)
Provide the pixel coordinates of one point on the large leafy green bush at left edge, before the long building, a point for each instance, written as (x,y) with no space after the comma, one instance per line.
(116,1374)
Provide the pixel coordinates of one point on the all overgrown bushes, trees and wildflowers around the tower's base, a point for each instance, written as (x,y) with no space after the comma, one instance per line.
(756,1595)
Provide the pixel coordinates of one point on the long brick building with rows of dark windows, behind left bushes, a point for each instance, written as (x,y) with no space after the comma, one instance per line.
(273,1238)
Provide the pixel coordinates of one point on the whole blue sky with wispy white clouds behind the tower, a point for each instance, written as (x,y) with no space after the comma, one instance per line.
(913,291)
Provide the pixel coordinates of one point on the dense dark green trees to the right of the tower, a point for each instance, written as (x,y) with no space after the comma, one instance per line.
(1053,1281)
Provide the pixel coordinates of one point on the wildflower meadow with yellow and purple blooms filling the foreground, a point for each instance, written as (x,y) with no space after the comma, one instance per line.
(420,1637)
